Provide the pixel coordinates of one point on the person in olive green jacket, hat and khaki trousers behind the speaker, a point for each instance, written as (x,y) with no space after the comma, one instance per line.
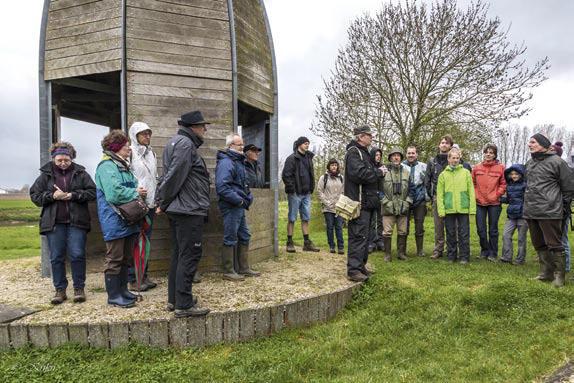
(396,204)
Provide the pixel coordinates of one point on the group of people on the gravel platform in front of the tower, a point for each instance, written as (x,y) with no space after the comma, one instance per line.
(128,172)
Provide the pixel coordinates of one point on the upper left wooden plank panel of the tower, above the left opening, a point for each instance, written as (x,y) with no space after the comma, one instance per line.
(83,37)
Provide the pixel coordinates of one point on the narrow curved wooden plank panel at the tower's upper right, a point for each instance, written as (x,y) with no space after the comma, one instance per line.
(254,60)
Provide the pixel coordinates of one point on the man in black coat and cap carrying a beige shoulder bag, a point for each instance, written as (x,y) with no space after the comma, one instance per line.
(361,184)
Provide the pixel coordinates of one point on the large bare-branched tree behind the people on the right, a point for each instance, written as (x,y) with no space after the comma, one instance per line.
(412,69)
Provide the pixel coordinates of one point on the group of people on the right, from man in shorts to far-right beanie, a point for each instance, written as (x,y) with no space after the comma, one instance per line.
(538,194)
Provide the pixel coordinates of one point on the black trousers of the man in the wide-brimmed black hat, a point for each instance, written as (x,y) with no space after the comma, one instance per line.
(187,233)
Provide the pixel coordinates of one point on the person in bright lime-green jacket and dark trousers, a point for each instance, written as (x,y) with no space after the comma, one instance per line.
(455,202)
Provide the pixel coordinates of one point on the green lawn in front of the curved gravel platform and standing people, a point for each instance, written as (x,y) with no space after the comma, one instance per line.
(414,321)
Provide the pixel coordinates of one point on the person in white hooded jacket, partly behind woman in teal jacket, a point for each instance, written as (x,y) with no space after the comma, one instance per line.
(143,165)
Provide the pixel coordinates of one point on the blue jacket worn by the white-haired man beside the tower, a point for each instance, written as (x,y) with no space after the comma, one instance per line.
(231,182)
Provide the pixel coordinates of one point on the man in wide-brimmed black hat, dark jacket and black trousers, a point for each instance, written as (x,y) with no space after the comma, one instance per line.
(184,195)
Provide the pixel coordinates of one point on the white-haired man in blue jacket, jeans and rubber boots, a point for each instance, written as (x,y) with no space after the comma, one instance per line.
(234,198)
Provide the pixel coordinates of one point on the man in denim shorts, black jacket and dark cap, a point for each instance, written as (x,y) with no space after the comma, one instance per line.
(299,183)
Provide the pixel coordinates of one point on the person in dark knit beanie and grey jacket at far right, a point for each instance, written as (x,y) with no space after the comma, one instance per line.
(549,191)
